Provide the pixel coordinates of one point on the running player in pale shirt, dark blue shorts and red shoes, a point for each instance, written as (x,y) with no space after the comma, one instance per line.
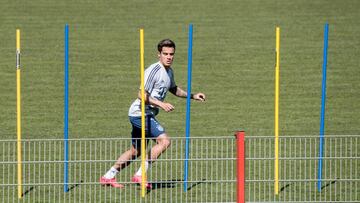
(159,79)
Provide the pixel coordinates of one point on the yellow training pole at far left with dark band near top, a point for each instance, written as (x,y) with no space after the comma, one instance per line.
(18,115)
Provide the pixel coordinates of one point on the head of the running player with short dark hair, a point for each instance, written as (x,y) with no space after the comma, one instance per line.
(166,51)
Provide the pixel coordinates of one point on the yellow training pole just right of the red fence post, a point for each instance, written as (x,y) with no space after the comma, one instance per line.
(277,78)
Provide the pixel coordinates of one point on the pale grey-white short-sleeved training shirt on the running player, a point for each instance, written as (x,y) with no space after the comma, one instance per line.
(158,80)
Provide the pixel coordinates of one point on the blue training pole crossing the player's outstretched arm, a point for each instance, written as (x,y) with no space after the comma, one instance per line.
(187,141)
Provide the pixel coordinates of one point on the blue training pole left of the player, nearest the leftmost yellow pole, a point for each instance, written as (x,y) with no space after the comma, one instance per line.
(66,108)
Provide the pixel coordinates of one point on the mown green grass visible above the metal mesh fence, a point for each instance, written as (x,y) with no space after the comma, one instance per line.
(233,64)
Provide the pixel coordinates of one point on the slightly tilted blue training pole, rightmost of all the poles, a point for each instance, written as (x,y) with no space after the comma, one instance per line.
(322,115)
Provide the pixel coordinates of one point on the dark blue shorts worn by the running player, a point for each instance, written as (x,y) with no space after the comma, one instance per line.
(152,129)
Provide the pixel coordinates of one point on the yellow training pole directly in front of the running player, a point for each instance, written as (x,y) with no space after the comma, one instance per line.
(143,177)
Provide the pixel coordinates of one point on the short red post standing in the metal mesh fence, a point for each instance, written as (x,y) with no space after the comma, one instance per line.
(240,166)
